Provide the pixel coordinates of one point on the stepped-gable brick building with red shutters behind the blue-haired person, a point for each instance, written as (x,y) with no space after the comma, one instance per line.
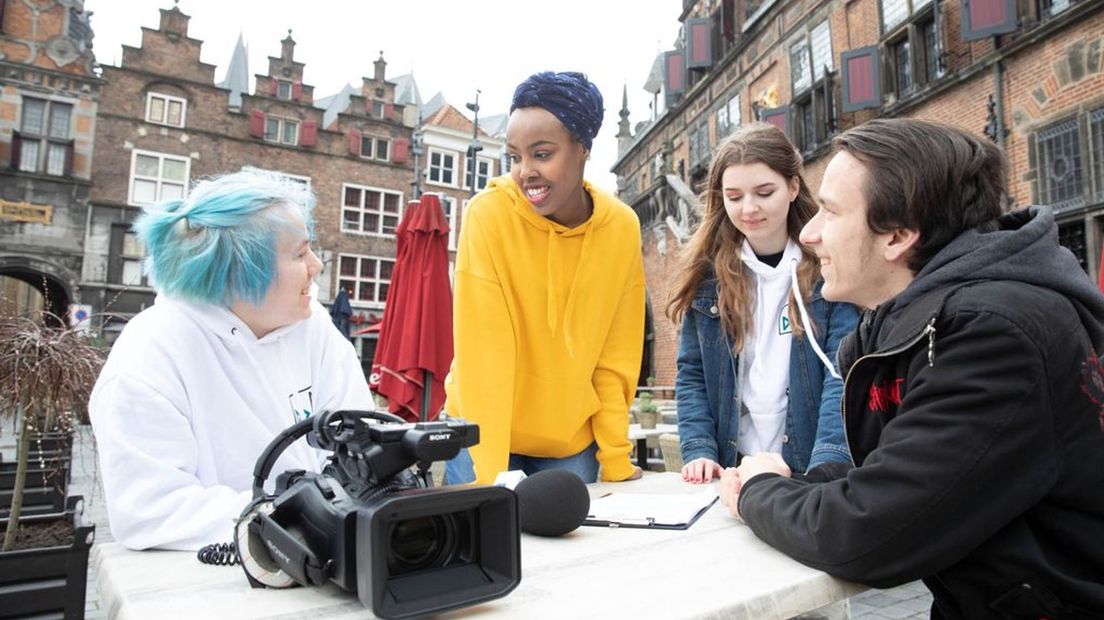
(165,124)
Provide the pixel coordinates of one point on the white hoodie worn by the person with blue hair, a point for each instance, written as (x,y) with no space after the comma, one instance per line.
(188,401)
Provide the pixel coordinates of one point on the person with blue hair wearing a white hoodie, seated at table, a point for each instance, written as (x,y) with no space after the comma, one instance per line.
(233,351)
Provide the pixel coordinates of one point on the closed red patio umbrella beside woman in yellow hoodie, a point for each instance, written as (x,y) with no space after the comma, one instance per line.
(416,346)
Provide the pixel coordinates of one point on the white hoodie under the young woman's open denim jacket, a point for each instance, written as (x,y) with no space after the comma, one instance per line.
(765,362)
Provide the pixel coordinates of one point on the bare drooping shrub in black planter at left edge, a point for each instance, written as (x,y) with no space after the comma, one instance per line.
(47,375)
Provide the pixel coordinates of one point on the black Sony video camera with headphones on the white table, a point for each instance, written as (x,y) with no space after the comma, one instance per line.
(374,527)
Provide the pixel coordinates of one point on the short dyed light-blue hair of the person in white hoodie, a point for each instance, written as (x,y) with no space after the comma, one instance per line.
(219,245)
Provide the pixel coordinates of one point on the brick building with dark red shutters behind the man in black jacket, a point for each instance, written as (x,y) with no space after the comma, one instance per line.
(1027,73)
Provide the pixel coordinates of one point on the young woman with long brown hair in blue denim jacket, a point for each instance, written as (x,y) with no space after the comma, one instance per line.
(756,371)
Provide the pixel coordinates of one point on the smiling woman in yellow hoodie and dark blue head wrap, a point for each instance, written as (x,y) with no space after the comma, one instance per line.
(548,301)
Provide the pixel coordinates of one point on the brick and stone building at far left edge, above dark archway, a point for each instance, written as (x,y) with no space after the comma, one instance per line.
(49,95)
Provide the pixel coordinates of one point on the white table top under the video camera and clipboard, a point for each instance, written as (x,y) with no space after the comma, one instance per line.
(716,569)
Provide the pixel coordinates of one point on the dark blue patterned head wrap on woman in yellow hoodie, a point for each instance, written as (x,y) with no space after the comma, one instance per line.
(569,97)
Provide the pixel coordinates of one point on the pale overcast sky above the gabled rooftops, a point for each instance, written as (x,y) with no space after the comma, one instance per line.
(452,47)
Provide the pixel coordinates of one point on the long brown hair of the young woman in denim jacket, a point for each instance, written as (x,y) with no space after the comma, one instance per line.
(717,243)
